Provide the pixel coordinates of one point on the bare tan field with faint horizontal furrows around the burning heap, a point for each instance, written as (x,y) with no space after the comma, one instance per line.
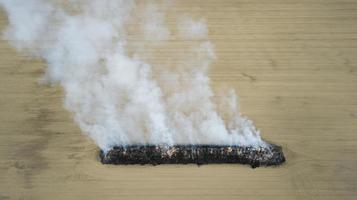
(294,65)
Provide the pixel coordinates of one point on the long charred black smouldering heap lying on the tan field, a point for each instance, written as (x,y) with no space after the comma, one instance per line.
(268,155)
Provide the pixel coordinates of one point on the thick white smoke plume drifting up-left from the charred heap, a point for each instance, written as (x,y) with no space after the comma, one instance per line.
(118,92)
